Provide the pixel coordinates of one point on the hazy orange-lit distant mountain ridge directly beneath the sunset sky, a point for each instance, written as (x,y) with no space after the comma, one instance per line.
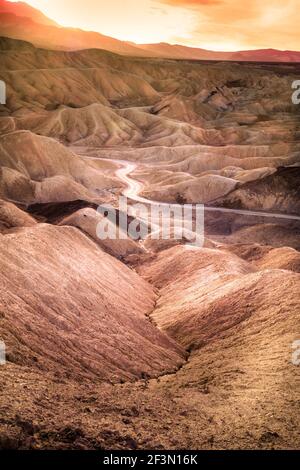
(21,21)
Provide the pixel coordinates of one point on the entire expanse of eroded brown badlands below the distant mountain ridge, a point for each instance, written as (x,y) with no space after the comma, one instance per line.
(140,344)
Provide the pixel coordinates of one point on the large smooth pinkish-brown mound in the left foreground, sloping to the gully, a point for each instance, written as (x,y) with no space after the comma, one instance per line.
(80,312)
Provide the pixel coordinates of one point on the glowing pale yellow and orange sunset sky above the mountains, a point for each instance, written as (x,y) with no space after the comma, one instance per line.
(210,24)
